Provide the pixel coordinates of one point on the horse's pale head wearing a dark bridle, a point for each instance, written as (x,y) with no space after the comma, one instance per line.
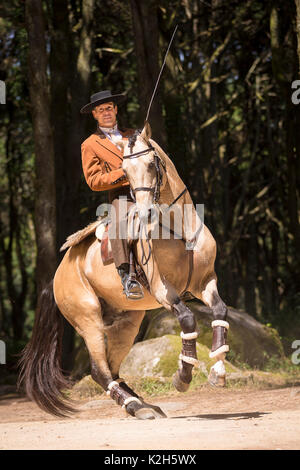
(144,170)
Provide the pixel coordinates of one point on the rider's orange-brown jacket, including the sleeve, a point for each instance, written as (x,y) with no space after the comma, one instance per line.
(102,162)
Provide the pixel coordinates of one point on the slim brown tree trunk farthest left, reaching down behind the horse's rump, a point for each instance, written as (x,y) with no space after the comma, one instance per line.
(45,202)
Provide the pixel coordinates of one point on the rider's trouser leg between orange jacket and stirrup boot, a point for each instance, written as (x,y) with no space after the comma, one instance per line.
(119,241)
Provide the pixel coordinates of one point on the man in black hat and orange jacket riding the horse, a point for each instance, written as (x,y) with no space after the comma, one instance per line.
(102,168)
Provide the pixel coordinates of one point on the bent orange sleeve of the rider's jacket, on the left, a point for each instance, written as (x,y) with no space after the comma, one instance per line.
(96,178)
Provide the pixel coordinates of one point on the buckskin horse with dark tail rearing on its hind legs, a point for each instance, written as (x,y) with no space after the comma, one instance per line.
(89,294)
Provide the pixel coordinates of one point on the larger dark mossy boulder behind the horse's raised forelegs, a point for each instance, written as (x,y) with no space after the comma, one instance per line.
(250,341)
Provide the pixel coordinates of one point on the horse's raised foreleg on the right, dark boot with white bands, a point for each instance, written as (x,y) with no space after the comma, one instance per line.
(220,326)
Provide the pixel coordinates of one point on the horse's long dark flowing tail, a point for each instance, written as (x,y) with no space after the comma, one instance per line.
(40,364)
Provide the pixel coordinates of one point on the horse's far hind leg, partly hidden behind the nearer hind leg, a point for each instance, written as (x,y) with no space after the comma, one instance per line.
(121,333)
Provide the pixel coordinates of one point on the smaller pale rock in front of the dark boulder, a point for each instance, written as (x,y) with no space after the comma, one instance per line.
(158,357)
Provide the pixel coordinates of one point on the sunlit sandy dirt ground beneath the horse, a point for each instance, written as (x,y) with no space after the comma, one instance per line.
(206,419)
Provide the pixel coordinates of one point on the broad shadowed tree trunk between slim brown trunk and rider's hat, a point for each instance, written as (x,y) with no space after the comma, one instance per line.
(70,72)
